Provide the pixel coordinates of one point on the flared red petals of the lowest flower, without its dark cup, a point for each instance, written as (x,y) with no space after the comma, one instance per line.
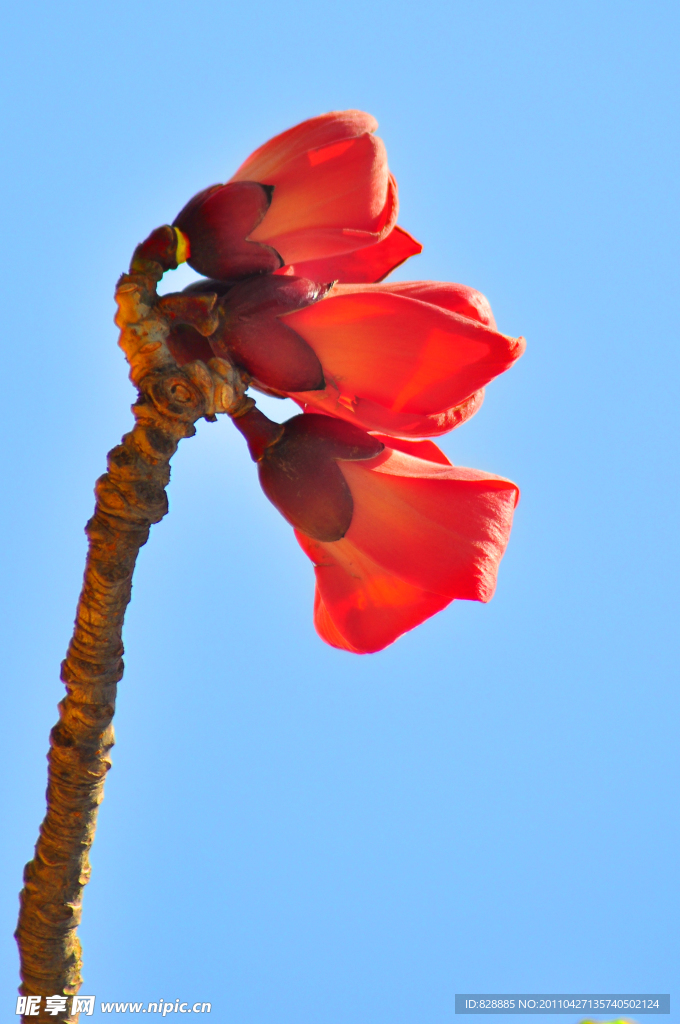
(422,534)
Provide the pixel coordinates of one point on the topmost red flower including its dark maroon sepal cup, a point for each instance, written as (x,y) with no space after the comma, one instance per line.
(310,201)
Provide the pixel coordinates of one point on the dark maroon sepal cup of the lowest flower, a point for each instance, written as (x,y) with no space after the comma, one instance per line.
(301,477)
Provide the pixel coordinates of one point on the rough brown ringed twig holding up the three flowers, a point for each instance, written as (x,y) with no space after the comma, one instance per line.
(131,497)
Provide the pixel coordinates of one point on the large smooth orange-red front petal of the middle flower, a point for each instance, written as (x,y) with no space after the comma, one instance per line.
(405,355)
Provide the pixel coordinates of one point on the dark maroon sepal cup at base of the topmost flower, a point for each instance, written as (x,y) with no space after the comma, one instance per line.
(218,223)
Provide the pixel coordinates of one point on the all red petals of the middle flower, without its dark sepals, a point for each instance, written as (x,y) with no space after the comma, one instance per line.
(409,359)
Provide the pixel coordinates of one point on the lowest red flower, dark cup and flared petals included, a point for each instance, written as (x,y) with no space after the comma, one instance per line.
(395,531)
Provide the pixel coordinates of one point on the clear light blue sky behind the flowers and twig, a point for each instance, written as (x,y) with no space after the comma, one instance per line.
(297,835)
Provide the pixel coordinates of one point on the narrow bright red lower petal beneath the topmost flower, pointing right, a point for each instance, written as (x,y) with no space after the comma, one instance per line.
(371,264)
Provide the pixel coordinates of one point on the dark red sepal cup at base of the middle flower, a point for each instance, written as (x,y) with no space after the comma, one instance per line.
(256,338)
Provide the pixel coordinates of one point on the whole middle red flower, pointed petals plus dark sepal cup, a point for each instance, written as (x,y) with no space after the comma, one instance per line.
(409,359)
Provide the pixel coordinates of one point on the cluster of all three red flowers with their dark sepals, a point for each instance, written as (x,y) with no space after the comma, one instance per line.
(294,245)
